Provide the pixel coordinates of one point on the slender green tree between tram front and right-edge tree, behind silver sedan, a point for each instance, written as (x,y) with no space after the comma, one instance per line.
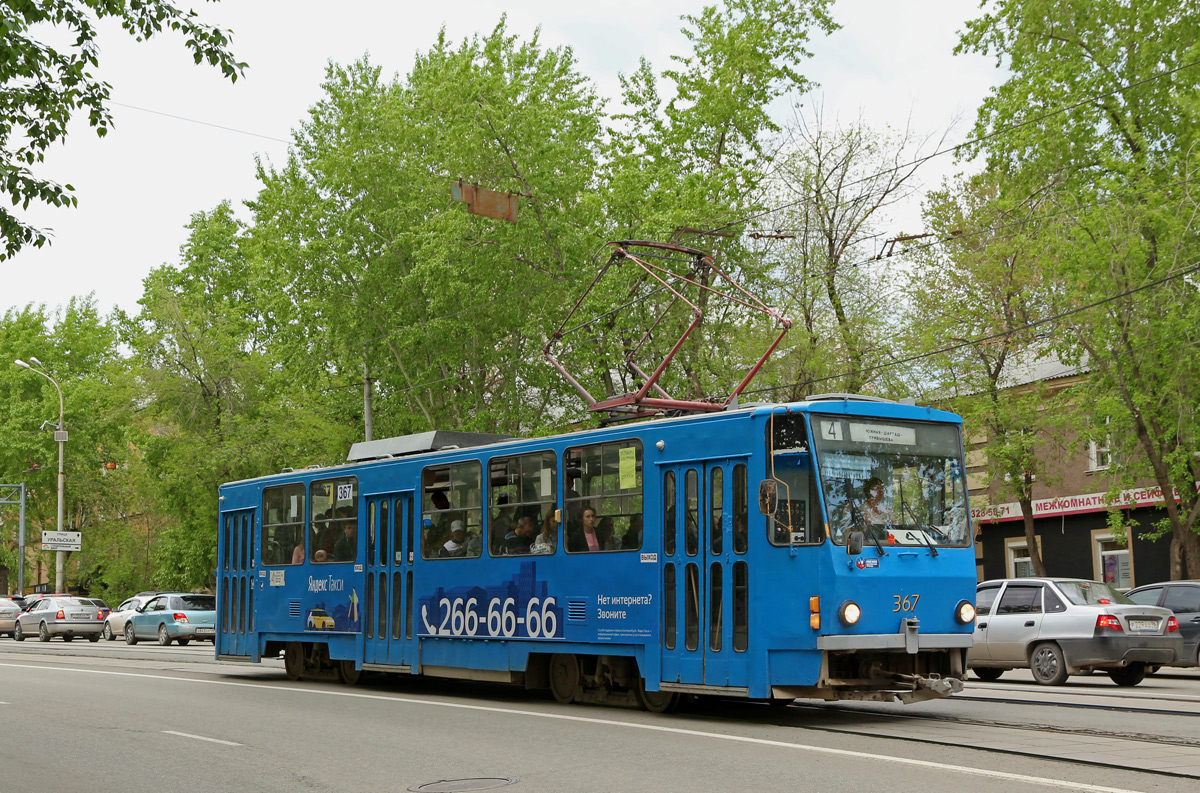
(985,353)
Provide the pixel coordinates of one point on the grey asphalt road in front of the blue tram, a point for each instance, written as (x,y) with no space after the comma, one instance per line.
(115,718)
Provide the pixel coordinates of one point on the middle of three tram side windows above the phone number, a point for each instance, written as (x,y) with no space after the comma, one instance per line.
(521,504)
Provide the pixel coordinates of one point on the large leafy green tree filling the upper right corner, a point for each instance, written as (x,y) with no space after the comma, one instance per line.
(1100,106)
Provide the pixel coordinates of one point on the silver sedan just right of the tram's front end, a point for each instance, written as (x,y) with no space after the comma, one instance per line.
(1061,627)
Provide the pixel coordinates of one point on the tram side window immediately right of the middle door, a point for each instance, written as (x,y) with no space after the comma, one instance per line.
(452,500)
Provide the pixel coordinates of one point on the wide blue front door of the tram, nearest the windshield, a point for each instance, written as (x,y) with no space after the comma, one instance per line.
(706,641)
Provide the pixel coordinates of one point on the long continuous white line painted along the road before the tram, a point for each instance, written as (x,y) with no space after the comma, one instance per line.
(614,723)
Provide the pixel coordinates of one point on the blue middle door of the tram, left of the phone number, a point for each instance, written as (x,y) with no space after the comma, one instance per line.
(388,579)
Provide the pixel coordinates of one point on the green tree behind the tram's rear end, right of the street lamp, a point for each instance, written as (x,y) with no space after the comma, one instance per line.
(218,407)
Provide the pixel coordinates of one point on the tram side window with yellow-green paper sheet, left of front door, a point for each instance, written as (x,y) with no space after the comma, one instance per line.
(604,497)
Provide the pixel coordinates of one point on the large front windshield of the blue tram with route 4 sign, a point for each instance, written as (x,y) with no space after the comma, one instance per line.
(901,483)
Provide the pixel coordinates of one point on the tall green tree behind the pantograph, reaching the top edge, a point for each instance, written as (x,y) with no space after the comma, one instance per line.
(688,167)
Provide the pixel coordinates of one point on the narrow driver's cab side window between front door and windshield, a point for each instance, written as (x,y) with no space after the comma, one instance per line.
(797,520)
